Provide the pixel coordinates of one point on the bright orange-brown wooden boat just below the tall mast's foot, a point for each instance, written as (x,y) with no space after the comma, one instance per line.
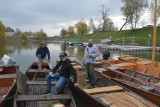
(144,69)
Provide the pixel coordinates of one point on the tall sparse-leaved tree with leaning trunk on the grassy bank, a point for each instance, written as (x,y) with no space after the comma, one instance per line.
(132,11)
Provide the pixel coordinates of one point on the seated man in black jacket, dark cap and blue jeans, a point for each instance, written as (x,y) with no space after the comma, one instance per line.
(66,69)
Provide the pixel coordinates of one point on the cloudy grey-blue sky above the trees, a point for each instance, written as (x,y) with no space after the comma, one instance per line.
(53,15)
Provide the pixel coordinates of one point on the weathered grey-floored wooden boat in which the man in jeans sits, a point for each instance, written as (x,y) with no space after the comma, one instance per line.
(36,86)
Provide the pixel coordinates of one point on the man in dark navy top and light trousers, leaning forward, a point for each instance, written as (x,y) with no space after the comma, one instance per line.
(43,54)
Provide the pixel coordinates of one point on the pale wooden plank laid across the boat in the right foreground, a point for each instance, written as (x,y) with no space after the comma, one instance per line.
(103,89)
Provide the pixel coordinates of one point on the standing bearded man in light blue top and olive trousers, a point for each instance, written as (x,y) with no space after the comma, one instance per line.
(91,52)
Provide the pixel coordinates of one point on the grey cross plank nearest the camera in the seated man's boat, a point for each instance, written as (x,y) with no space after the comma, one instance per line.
(43,97)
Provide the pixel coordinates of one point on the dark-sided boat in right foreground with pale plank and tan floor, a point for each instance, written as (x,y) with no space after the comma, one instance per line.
(107,93)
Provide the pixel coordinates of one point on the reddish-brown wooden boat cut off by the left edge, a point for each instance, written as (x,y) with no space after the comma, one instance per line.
(7,84)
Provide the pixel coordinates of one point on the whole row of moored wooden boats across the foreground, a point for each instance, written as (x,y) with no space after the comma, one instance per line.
(126,82)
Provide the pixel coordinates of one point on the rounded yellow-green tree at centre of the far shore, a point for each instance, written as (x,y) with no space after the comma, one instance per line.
(81,27)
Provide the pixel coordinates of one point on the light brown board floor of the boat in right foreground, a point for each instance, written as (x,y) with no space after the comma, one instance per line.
(124,99)
